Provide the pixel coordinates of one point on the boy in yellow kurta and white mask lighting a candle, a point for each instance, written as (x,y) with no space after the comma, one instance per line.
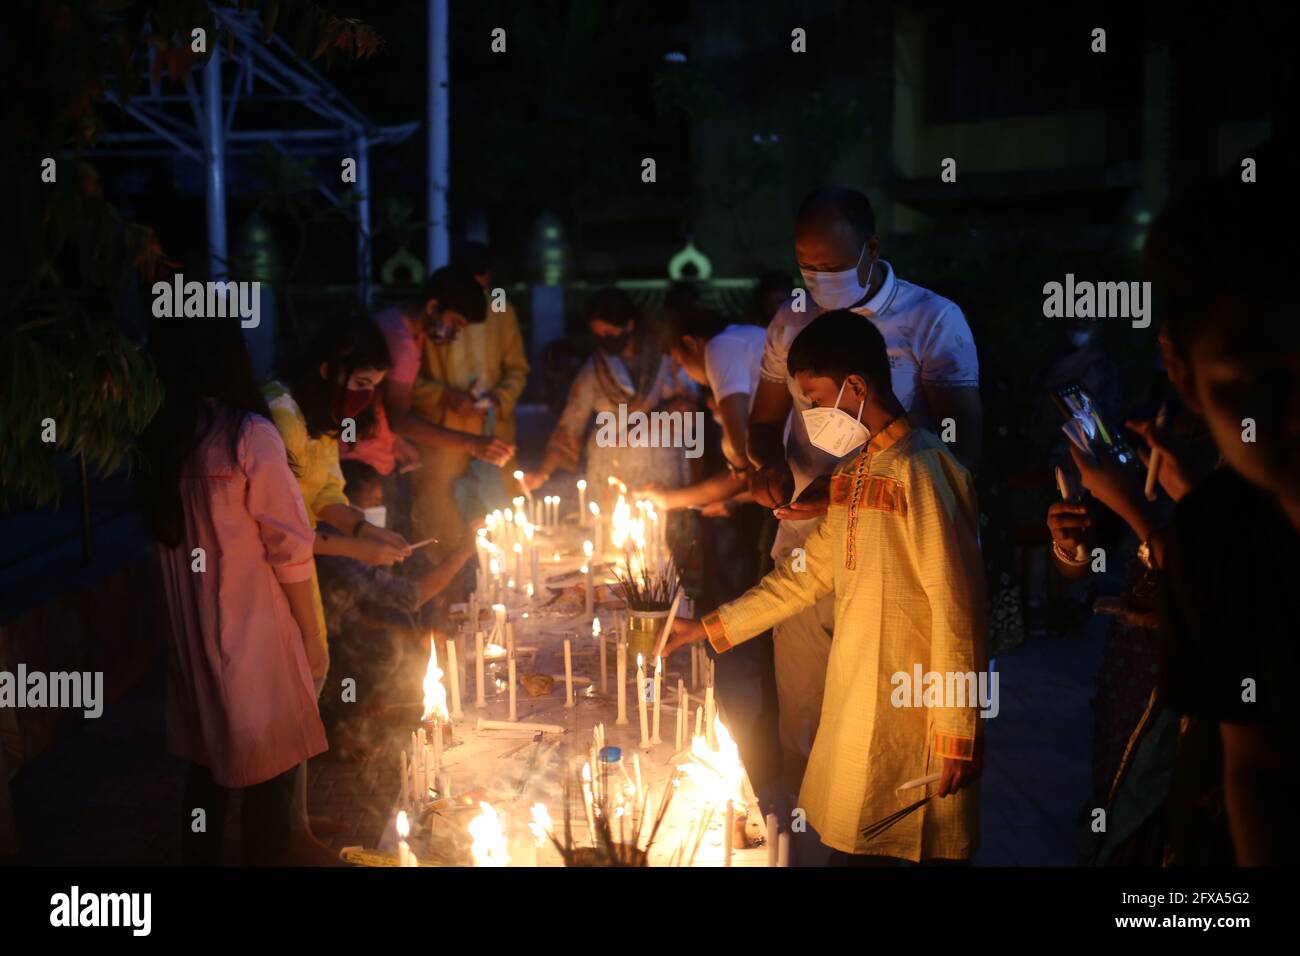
(899,551)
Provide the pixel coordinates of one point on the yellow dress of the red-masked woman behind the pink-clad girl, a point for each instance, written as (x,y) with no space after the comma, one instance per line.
(322,483)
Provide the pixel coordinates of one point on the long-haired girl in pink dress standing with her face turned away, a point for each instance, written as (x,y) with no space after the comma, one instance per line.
(236,550)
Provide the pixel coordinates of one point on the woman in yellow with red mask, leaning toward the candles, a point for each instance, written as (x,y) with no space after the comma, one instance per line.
(324,399)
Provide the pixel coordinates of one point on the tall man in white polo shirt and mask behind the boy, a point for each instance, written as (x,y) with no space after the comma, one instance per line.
(935,377)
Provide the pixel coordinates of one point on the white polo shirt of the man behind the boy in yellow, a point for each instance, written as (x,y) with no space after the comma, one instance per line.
(929,344)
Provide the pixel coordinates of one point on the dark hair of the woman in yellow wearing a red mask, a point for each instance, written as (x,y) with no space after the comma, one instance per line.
(344,347)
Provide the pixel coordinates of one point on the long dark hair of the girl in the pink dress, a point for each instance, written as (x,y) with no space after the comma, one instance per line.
(197,361)
